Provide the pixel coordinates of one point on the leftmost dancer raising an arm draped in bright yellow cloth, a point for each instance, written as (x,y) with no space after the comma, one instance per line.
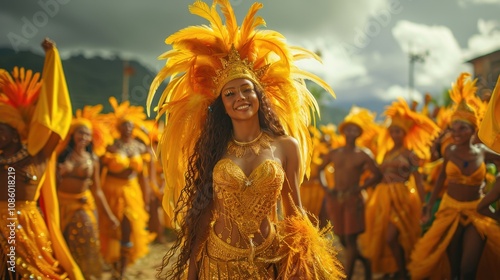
(32,245)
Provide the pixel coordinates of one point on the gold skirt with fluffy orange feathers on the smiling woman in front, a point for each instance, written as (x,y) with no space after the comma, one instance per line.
(294,248)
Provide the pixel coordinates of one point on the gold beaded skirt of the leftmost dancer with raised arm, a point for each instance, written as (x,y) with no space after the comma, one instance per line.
(28,244)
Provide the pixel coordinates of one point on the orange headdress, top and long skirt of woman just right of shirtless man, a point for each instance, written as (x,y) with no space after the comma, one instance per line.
(396,202)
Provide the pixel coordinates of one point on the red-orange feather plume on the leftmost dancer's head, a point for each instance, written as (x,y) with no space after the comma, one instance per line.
(18,94)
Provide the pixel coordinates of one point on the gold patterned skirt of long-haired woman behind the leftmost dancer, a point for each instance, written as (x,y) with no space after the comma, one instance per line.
(79,227)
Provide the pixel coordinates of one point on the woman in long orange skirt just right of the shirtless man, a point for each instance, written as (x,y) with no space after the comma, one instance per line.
(394,208)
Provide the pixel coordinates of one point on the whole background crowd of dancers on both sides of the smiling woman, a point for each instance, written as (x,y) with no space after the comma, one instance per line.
(413,195)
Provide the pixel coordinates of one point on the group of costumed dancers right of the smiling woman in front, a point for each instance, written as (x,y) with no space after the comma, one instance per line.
(406,193)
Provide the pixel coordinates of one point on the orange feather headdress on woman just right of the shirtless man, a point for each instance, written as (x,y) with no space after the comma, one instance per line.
(420,129)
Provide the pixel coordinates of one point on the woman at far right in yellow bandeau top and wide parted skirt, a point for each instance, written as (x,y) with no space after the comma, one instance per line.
(461,243)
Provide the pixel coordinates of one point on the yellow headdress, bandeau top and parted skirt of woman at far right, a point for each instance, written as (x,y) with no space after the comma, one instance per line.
(429,258)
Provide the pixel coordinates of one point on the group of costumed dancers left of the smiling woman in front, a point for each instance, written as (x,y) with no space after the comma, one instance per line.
(79,187)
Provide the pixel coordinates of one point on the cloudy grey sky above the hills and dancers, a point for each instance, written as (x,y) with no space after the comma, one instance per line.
(365,44)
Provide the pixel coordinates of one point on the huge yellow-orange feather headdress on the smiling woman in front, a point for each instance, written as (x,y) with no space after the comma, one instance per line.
(204,58)
